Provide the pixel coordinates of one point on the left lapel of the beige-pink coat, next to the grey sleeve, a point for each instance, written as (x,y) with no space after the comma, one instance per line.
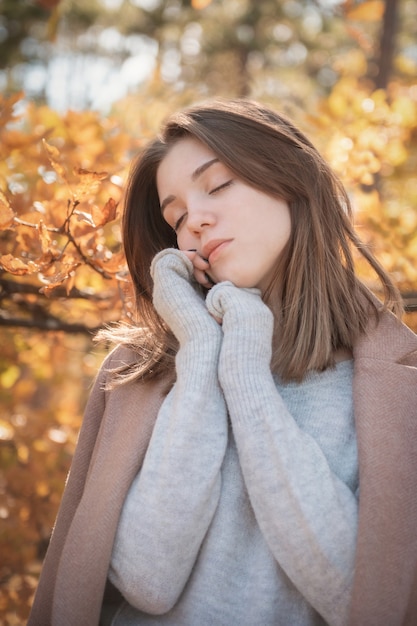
(121,444)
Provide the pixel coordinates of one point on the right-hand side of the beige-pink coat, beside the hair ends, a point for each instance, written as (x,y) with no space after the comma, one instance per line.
(385,405)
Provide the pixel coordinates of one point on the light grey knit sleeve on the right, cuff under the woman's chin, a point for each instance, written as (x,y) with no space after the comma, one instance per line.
(307,515)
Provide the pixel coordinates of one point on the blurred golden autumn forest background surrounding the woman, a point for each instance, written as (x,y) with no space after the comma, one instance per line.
(84,84)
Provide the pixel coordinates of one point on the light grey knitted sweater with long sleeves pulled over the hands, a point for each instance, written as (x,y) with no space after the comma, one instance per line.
(245,509)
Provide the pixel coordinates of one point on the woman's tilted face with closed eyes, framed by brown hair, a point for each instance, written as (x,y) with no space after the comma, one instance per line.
(238,229)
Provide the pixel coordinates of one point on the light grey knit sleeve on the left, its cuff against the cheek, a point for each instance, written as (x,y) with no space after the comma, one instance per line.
(173,499)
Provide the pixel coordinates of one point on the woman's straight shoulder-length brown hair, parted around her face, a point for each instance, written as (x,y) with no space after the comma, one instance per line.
(319,304)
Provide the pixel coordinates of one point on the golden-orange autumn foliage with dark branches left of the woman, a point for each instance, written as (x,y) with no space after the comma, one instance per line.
(62,276)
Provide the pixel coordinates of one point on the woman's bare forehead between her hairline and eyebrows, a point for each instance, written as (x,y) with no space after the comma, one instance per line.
(182,159)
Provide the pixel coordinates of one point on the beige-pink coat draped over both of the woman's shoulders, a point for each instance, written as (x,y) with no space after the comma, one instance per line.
(113,441)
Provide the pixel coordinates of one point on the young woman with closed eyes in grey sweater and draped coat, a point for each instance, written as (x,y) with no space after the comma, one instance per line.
(249,452)
